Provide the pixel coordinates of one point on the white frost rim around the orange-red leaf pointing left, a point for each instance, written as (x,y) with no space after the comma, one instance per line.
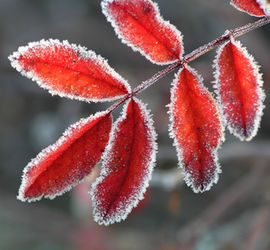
(82,52)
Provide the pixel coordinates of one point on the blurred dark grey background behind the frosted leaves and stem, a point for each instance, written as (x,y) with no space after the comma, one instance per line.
(235,214)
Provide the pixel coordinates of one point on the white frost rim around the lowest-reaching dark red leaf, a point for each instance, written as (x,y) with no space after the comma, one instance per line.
(138,194)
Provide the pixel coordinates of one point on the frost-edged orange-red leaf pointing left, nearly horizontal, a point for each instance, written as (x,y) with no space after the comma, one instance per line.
(69,70)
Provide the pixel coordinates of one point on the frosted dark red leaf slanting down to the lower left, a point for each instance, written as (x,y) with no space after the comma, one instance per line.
(62,165)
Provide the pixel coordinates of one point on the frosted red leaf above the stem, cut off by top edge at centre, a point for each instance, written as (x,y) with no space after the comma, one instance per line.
(139,24)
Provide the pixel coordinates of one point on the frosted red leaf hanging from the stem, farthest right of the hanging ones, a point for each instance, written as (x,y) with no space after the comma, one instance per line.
(239,90)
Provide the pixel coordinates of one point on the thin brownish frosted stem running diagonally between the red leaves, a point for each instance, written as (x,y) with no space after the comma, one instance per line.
(192,56)
